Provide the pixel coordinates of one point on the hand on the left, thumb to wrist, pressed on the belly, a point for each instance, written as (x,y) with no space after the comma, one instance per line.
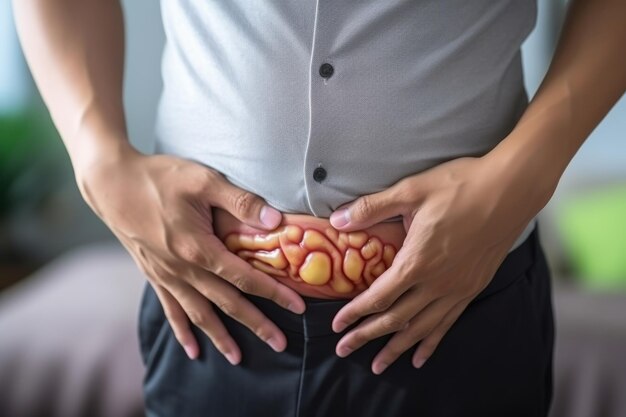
(159,207)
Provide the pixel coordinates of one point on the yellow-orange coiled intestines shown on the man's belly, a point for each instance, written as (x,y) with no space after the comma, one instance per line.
(342,260)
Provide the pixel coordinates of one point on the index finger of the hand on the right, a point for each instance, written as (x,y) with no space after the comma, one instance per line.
(380,296)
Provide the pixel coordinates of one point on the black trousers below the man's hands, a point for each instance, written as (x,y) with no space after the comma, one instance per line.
(496,360)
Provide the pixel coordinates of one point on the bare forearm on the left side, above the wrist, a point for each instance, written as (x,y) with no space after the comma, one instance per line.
(75,51)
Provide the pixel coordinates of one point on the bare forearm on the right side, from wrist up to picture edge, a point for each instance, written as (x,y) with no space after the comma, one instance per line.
(585,79)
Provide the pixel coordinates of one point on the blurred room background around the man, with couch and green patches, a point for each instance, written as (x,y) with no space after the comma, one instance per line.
(69,293)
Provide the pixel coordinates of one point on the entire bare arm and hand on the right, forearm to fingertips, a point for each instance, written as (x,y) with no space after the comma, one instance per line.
(486,200)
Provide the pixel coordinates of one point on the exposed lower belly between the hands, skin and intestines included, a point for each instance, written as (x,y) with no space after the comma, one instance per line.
(307,254)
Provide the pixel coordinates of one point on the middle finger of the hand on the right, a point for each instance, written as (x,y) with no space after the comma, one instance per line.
(392,320)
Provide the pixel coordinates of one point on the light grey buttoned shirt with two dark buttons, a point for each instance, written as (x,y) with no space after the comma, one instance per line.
(312,103)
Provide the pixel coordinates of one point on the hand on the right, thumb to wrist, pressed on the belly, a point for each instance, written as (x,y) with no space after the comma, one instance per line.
(461,217)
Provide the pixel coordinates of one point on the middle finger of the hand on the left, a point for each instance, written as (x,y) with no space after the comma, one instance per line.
(234,304)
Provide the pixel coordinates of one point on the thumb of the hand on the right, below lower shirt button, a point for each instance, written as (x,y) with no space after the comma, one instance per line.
(367,210)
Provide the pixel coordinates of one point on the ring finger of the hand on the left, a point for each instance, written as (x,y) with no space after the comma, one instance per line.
(201,313)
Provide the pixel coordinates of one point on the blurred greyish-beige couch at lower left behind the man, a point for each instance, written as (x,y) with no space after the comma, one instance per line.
(68,340)
